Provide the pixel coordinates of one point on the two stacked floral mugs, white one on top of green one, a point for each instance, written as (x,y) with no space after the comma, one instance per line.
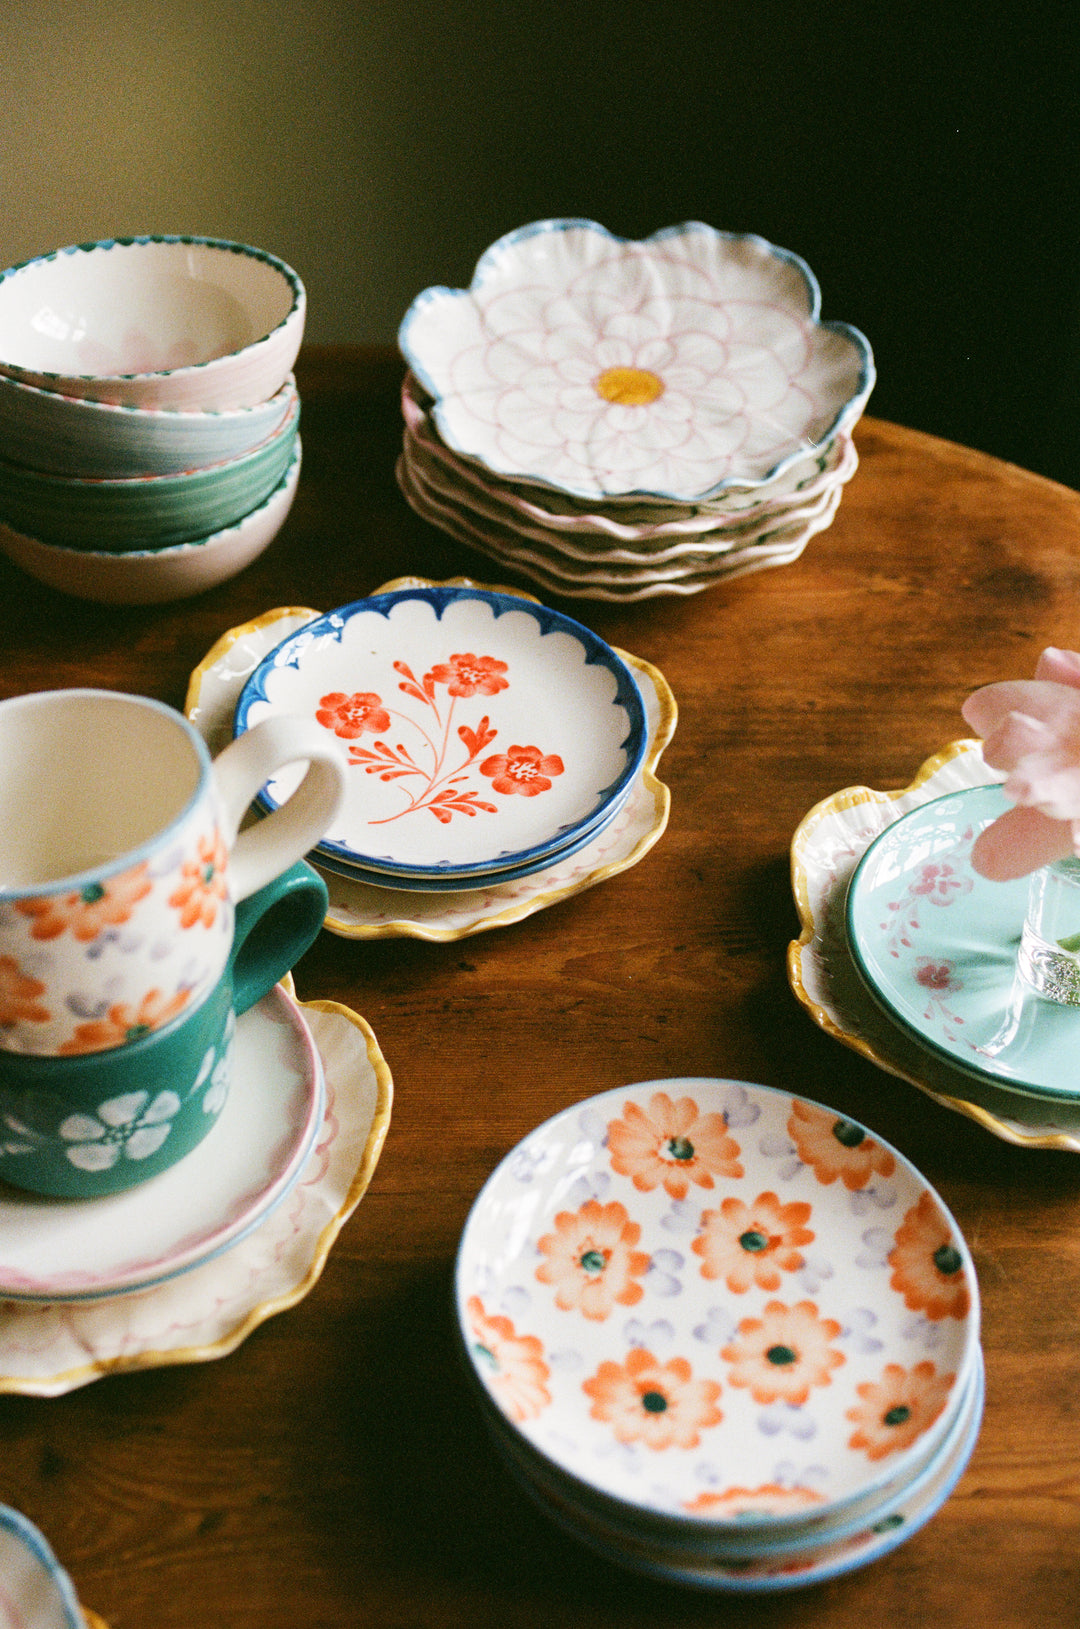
(138,921)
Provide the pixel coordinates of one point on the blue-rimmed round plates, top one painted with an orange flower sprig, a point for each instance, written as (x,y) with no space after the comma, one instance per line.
(490,737)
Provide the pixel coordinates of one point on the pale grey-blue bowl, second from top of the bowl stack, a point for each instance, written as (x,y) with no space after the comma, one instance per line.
(72,436)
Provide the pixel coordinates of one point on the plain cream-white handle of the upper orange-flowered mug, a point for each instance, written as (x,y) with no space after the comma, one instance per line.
(273,845)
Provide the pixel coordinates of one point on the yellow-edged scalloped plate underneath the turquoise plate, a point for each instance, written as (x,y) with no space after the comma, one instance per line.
(825,851)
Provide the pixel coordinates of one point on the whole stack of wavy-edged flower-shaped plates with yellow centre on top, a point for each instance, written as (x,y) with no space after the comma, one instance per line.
(623,419)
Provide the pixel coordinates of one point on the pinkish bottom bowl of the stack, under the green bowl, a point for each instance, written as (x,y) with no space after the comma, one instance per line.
(157,576)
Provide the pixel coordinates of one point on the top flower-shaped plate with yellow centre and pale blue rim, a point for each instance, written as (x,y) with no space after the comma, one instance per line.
(672,367)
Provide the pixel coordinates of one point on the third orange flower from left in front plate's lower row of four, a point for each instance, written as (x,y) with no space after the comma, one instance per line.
(784,1353)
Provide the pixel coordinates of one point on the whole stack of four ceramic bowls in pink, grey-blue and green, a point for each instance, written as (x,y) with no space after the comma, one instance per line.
(149,416)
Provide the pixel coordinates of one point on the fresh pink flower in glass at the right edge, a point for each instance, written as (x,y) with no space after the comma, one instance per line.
(1032,731)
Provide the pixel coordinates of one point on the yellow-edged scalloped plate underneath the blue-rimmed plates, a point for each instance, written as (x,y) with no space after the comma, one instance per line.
(364,911)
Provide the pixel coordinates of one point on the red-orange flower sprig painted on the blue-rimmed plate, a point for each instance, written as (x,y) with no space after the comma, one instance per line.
(441,778)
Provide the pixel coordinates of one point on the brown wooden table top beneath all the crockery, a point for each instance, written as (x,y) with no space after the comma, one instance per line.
(333,1470)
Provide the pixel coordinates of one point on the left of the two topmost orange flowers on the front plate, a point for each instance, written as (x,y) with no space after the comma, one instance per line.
(674,1146)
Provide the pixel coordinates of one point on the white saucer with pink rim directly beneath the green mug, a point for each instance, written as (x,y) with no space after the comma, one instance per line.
(71,1252)
